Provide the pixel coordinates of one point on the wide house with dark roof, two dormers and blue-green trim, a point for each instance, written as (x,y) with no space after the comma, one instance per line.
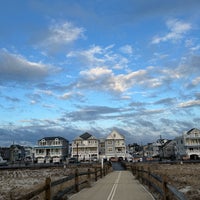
(51,149)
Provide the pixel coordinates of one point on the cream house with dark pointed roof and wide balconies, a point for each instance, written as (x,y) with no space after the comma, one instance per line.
(85,147)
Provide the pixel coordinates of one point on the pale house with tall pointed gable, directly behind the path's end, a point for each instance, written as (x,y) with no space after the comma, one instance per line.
(115,146)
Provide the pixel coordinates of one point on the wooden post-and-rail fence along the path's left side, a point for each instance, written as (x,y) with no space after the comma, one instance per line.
(70,184)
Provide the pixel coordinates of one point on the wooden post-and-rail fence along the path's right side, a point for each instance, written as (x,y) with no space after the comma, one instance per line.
(159,184)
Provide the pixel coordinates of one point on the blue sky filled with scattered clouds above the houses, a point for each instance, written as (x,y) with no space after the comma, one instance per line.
(69,66)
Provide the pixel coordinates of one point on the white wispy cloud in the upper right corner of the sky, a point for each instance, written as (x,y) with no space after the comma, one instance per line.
(177,30)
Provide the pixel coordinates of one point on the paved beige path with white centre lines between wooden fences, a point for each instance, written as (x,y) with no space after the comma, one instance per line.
(118,185)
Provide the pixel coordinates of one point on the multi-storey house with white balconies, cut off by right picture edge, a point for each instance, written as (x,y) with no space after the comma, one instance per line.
(188,145)
